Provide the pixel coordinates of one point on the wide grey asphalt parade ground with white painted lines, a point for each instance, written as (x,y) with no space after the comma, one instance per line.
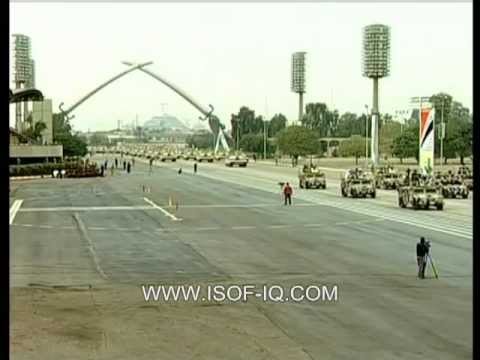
(81,249)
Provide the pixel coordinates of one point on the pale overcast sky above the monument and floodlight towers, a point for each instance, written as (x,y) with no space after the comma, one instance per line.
(229,55)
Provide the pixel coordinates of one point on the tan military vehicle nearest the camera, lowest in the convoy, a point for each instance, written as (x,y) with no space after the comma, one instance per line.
(420,197)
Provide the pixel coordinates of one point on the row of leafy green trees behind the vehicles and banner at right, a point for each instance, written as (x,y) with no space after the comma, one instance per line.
(395,139)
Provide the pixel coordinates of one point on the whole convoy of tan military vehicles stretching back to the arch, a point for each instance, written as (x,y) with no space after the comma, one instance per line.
(414,190)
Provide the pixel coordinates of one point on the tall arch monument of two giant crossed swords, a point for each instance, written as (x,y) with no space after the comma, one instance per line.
(215,126)
